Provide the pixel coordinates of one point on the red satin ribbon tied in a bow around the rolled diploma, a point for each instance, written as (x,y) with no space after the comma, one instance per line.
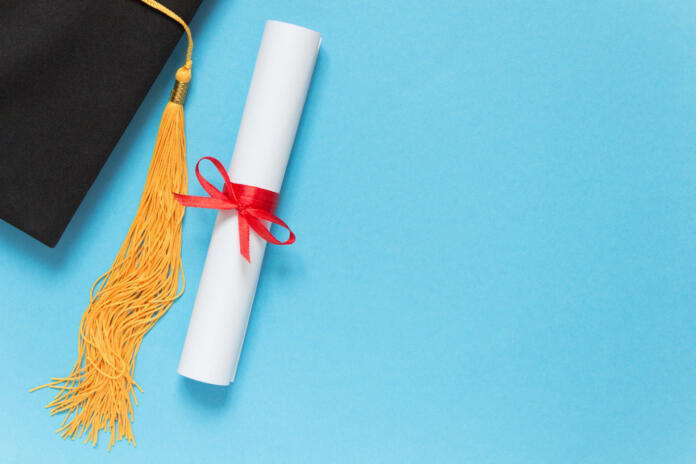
(253,204)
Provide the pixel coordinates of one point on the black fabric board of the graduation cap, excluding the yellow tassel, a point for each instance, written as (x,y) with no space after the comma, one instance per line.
(72,74)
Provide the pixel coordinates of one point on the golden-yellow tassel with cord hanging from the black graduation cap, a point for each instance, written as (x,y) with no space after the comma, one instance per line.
(135,293)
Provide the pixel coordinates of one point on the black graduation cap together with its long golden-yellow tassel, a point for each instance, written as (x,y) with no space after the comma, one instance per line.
(73,75)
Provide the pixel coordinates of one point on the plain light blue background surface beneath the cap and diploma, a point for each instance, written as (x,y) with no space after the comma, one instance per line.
(496,257)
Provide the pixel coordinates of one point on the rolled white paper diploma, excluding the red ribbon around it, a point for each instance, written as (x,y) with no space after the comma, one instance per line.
(277,94)
